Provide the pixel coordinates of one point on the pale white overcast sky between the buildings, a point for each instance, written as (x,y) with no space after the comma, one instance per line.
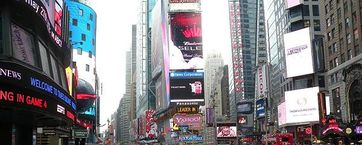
(114,25)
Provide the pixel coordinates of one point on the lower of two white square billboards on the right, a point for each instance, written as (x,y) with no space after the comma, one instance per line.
(302,105)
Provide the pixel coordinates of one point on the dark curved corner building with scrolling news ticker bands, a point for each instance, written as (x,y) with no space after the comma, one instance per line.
(34,52)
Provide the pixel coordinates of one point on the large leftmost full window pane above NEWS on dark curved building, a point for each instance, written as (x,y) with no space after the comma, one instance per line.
(23,45)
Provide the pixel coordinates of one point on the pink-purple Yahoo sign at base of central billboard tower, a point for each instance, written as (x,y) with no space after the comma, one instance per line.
(194,121)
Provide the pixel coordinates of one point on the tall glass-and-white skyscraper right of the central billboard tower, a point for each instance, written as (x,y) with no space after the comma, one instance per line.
(248,47)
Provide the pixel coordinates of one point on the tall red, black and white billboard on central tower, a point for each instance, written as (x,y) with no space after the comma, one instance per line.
(185,44)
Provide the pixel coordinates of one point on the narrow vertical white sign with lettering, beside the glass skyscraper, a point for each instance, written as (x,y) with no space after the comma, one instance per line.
(261,85)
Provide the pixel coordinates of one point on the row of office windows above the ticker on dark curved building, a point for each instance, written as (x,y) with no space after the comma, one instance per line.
(30,50)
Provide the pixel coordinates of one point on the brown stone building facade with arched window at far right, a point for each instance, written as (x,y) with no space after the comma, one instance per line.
(342,29)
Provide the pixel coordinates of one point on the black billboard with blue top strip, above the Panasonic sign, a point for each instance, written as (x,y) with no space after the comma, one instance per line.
(187,87)
